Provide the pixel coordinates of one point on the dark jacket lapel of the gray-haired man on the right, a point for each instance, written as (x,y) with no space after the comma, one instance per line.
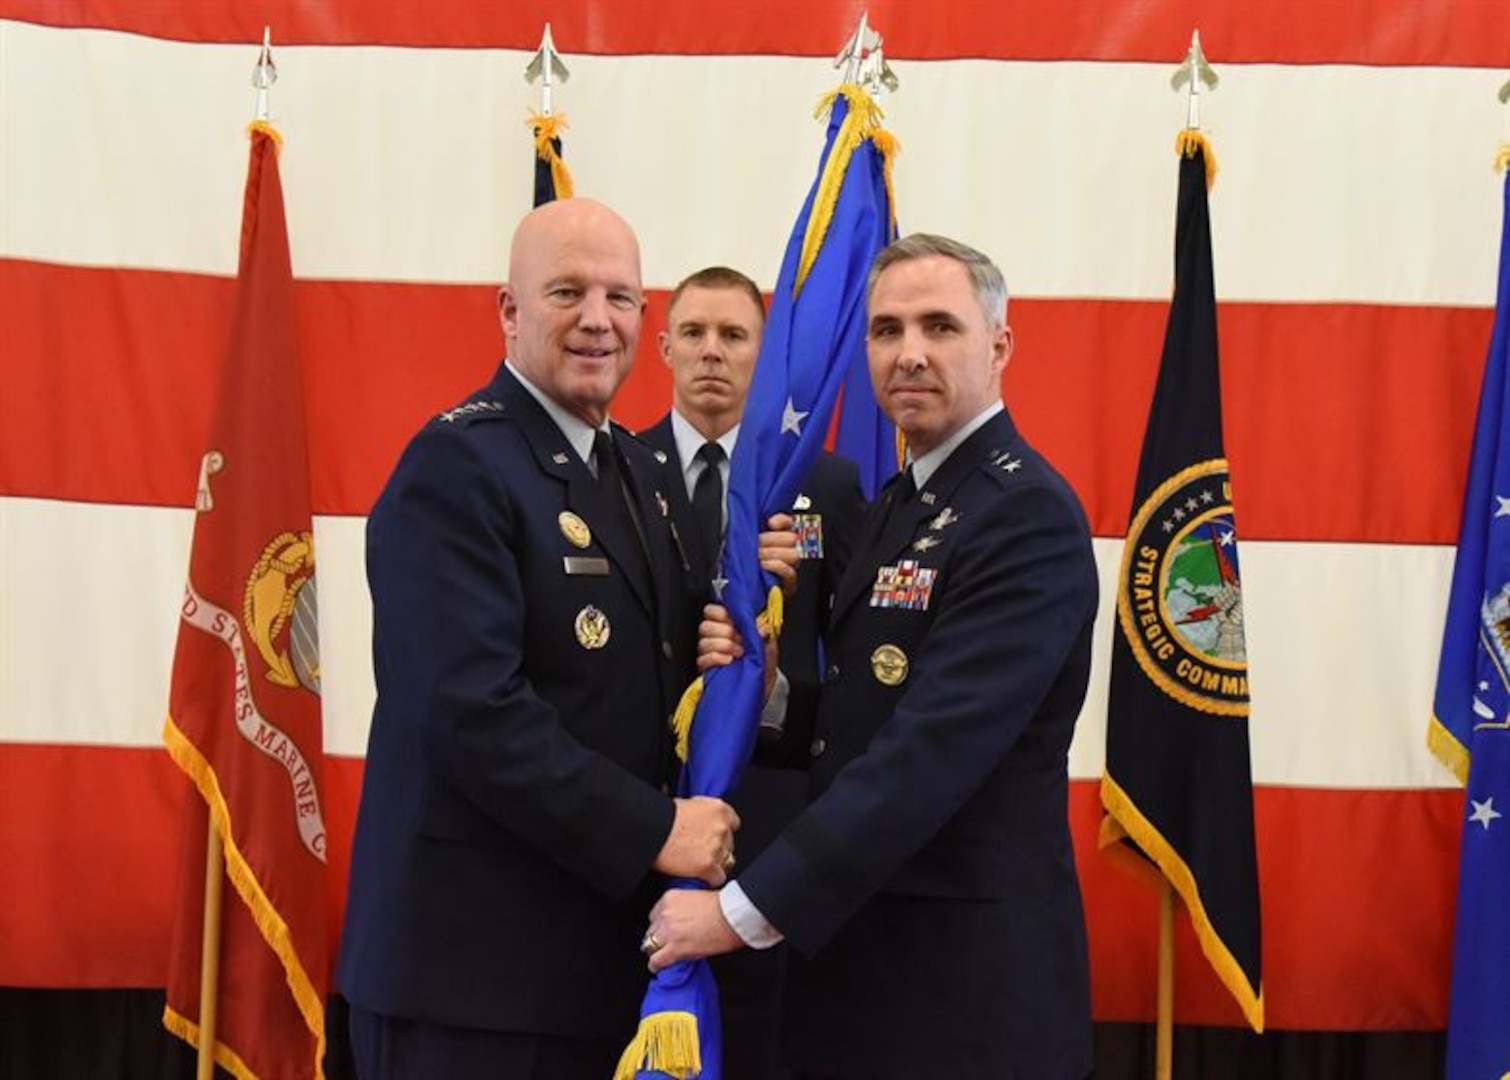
(904,525)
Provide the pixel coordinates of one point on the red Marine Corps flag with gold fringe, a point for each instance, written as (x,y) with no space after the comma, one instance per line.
(244,717)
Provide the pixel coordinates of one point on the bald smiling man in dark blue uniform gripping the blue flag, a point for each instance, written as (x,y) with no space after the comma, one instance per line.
(532,631)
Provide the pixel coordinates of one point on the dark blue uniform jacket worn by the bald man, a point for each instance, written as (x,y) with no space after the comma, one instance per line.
(529,650)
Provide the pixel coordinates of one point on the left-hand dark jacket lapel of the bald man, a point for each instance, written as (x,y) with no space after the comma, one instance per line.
(584,498)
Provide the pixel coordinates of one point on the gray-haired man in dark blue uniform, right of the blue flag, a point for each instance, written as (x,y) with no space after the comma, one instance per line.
(929,890)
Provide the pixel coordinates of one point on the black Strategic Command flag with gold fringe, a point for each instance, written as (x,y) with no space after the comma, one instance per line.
(1179,785)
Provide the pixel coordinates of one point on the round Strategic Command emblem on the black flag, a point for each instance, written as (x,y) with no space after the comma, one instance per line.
(1180,597)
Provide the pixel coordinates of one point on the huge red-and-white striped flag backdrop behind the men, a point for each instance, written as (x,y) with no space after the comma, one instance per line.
(1355,223)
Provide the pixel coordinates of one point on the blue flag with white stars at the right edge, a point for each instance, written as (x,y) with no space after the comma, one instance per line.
(1471,723)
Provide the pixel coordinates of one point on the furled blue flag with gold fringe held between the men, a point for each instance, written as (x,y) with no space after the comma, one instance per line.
(815,336)
